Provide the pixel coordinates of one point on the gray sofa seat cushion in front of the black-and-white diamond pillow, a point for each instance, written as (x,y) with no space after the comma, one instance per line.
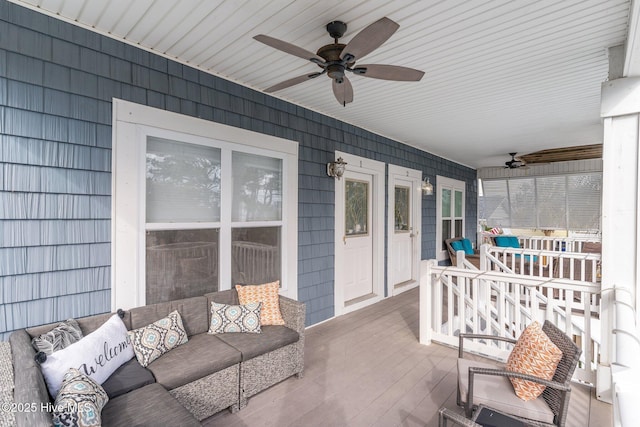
(202,355)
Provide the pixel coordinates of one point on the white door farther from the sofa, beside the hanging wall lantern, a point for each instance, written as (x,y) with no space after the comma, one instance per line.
(404,223)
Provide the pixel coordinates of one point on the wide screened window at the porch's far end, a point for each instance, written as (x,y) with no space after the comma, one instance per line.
(571,202)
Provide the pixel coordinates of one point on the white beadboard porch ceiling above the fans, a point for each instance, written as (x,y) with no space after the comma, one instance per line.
(501,76)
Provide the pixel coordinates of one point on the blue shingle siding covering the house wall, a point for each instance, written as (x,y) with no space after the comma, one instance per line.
(57,82)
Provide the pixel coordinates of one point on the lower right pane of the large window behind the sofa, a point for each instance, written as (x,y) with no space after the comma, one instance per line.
(255,254)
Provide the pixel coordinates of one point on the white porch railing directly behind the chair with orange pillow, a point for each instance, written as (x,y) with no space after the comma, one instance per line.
(456,299)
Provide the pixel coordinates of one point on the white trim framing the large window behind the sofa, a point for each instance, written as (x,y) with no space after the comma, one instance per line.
(131,123)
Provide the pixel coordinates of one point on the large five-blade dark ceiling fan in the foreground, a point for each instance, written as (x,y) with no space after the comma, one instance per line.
(336,59)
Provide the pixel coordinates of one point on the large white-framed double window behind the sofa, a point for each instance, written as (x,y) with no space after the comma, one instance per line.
(199,207)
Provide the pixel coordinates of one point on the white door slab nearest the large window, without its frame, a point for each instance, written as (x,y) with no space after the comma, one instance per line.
(358,240)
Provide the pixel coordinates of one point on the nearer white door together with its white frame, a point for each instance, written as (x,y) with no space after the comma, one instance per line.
(359,234)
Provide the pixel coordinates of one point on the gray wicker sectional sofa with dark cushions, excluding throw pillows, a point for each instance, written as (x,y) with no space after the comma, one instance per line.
(189,383)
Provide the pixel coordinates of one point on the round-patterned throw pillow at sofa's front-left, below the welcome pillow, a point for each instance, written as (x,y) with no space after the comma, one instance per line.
(79,402)
